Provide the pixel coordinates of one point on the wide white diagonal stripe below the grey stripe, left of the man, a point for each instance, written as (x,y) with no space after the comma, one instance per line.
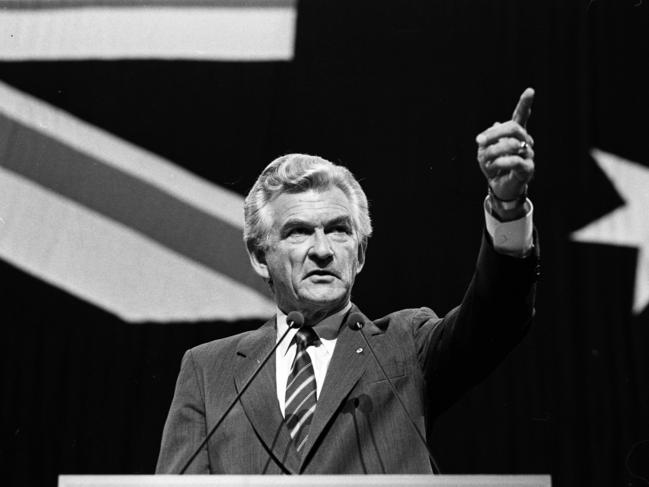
(110,265)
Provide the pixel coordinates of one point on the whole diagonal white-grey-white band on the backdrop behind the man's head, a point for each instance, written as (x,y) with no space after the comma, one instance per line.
(116,225)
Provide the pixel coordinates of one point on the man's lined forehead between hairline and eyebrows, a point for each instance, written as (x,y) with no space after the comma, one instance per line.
(309,205)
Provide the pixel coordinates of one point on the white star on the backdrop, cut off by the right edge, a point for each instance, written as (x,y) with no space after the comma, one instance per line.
(627,226)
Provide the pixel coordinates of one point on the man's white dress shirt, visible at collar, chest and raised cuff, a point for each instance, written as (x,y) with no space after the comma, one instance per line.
(511,238)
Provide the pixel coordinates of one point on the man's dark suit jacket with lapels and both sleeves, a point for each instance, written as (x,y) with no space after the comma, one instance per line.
(358,426)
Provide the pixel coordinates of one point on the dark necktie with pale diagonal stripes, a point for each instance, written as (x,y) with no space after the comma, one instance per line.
(301,389)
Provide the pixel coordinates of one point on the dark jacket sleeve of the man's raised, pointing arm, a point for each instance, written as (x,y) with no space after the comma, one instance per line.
(461,349)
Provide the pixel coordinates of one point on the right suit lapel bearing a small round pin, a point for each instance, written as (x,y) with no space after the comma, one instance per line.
(345,369)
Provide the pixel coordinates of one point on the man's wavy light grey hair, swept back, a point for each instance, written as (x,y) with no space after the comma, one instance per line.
(296,173)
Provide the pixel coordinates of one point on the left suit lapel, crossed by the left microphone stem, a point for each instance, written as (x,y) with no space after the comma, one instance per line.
(260,400)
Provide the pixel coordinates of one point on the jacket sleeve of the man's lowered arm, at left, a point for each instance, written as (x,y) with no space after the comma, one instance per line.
(185,427)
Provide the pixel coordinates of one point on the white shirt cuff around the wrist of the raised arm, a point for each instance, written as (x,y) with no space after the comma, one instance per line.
(513,237)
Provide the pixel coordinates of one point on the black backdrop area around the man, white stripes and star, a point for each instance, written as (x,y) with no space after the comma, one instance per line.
(397,91)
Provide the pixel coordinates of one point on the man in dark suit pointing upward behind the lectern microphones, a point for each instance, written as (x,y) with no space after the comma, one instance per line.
(321,405)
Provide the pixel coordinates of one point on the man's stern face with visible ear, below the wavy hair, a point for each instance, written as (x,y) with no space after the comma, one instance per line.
(313,252)
